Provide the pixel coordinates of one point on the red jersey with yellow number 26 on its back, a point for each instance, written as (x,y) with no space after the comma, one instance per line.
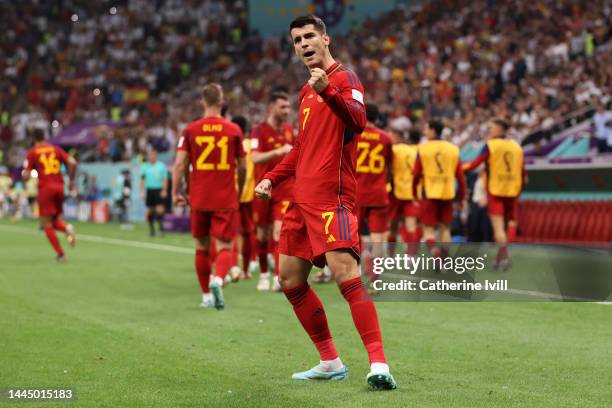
(373,160)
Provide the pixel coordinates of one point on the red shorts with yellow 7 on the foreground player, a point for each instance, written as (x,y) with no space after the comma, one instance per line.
(311,230)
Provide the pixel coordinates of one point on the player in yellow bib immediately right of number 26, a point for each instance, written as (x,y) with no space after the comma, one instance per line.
(404,202)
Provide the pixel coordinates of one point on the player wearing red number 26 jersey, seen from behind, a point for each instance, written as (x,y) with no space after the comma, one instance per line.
(373,173)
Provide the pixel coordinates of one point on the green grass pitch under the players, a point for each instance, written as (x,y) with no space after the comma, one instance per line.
(119,322)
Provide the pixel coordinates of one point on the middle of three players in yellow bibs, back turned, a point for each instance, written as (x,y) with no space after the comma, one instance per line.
(438,164)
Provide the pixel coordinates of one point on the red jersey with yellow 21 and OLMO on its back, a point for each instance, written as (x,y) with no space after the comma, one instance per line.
(212,145)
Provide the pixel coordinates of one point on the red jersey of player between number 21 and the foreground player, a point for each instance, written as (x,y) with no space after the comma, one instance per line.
(265,138)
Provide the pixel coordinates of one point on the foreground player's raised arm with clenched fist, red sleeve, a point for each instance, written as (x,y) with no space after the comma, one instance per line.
(345,99)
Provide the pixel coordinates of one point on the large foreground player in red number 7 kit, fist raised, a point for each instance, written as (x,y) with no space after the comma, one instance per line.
(320,226)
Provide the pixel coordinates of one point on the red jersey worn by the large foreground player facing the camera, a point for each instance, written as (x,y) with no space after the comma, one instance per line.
(324,156)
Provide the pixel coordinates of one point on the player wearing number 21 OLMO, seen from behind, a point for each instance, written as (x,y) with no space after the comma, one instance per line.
(212,147)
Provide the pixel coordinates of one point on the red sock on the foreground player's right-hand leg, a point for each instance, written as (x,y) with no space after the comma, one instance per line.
(364,317)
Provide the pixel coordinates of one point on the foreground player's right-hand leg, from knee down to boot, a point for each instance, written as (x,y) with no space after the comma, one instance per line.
(345,271)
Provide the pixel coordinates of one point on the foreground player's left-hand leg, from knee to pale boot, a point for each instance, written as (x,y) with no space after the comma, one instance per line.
(309,310)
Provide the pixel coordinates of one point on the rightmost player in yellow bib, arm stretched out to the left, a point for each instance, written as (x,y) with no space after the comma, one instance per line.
(505,175)
